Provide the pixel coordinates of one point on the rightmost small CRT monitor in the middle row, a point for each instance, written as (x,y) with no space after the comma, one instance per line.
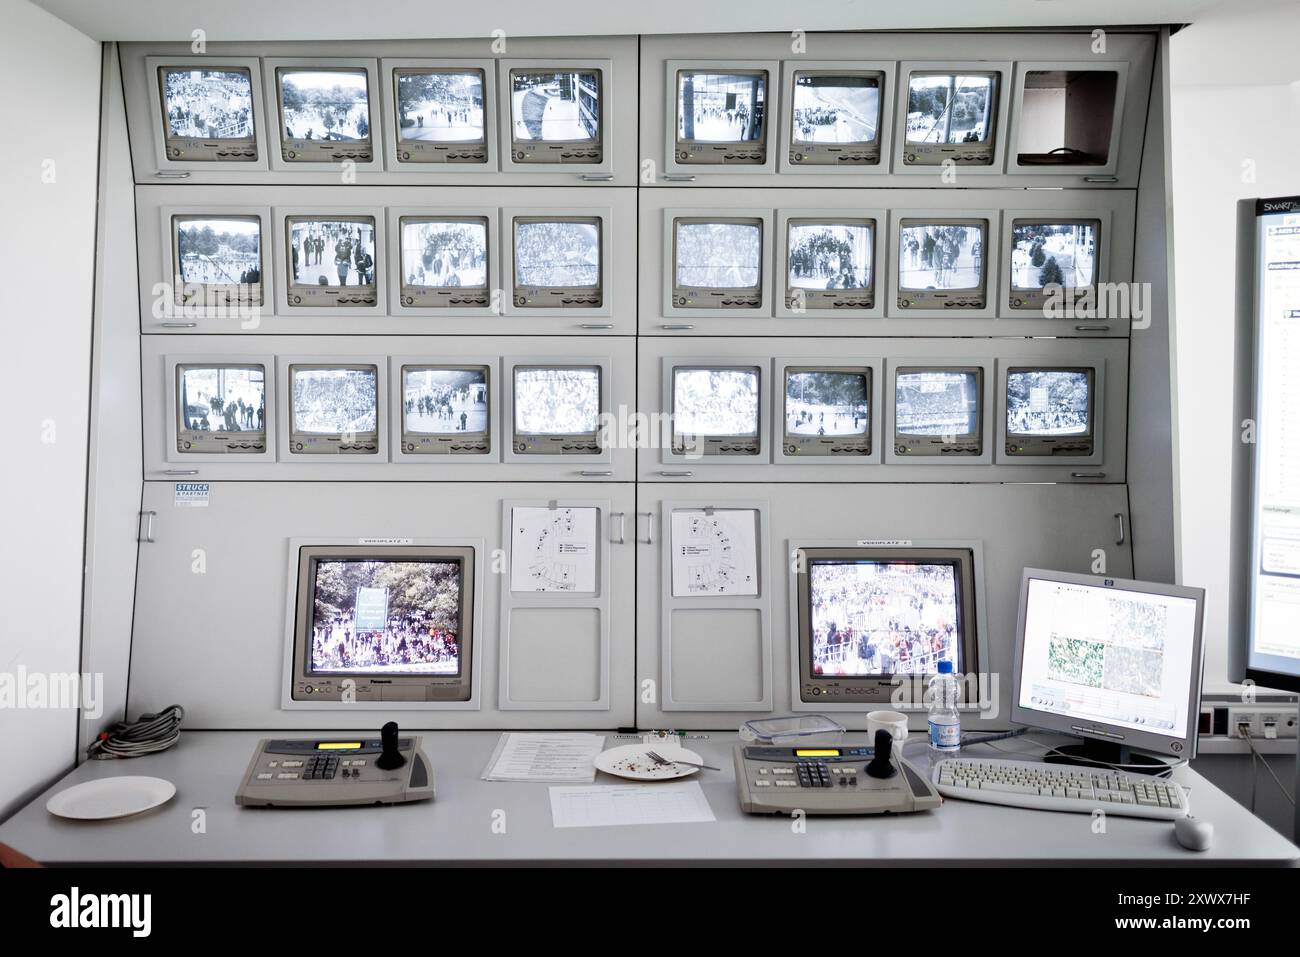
(1052,258)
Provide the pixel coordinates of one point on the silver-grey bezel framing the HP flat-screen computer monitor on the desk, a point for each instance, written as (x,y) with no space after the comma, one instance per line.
(1146,742)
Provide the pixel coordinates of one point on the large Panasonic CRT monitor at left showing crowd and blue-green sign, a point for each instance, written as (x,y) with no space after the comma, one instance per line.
(384,623)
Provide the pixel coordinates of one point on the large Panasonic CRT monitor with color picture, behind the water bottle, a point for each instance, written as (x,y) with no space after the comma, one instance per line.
(870,616)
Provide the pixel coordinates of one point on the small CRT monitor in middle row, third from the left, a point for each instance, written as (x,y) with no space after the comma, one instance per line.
(444,262)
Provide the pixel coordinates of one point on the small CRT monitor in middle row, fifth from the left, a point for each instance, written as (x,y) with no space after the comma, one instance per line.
(718,263)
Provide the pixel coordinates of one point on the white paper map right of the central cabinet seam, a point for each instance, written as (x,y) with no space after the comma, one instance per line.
(714,553)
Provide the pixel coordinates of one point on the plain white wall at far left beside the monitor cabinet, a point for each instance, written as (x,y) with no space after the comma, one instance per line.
(49,168)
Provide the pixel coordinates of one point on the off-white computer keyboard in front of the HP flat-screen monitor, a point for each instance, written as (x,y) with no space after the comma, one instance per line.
(1059,787)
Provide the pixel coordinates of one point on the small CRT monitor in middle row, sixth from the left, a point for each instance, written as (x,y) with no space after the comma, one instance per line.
(830,263)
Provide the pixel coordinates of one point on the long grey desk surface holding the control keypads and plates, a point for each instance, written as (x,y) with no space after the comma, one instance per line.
(458,828)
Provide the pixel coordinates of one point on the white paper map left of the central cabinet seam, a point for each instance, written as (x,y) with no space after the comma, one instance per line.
(553,551)
